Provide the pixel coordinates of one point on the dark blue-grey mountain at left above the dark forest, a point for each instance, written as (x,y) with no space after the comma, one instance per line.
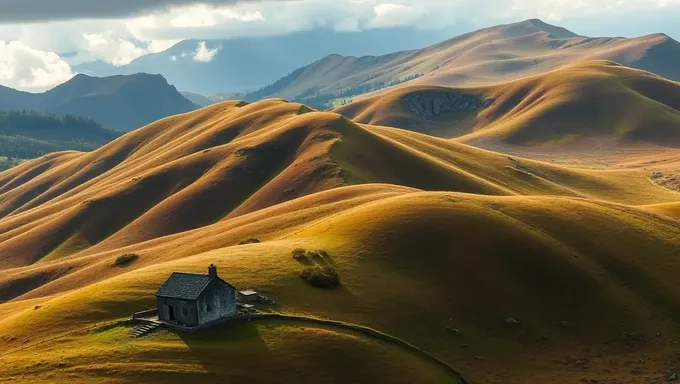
(121,102)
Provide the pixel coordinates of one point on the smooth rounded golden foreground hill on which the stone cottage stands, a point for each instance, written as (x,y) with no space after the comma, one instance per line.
(413,264)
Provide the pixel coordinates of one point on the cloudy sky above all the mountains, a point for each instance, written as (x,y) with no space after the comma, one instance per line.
(42,40)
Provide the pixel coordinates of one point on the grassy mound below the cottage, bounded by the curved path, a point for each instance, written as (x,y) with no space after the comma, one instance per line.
(286,352)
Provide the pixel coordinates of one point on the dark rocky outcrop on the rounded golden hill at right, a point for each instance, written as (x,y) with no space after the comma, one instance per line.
(429,104)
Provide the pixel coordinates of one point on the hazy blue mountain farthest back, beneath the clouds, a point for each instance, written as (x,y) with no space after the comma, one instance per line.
(247,64)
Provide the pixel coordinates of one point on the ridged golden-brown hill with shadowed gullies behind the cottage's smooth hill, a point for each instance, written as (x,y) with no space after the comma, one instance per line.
(230,159)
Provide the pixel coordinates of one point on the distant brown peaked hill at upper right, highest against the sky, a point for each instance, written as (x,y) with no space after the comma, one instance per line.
(482,57)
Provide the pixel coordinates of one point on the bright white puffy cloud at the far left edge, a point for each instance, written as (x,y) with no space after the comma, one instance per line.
(30,69)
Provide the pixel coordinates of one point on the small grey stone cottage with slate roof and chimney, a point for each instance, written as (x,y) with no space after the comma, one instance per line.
(190,299)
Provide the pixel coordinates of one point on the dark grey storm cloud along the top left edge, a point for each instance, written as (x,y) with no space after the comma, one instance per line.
(19,11)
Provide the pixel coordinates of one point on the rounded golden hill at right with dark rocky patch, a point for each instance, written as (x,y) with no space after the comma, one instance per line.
(595,100)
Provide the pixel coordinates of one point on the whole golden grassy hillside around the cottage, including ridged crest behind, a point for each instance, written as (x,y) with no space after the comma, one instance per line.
(436,243)
